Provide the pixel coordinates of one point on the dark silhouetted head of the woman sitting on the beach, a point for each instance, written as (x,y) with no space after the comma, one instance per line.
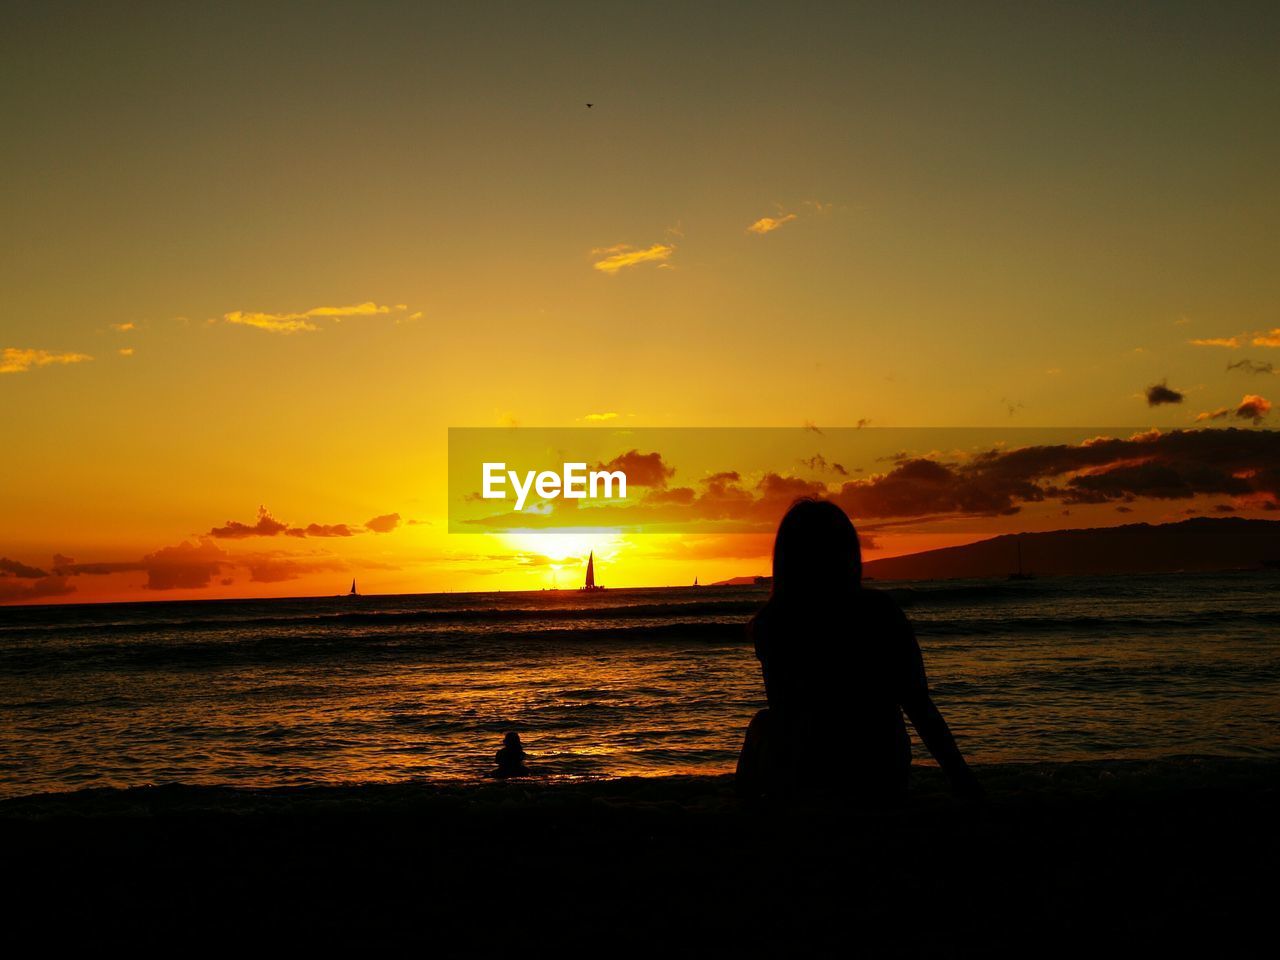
(816,552)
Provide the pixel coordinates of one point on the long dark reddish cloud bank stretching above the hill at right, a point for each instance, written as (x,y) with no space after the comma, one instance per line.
(1238,464)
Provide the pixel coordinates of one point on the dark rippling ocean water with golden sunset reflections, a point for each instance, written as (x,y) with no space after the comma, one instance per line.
(271,693)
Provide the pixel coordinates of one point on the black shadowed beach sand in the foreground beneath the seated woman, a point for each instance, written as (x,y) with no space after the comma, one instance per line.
(1092,858)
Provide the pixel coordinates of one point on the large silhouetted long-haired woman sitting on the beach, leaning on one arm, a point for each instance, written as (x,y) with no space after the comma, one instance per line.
(842,665)
